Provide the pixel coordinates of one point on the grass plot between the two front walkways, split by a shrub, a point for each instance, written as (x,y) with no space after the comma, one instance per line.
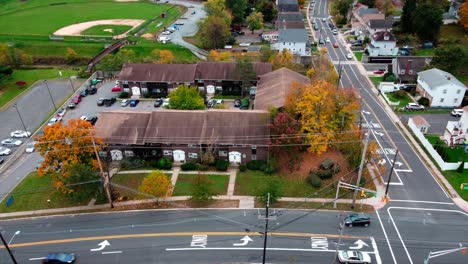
(184,183)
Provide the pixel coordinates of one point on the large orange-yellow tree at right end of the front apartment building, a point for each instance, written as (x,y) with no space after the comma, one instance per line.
(325,112)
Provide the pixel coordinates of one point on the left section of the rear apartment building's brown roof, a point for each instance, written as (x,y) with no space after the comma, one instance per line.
(182,73)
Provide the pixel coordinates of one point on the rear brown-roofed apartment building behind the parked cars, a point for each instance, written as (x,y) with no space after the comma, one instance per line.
(160,79)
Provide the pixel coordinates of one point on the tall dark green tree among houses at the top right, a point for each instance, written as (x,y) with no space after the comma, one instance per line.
(427,21)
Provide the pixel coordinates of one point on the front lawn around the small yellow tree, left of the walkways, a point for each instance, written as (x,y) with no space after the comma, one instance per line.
(132,181)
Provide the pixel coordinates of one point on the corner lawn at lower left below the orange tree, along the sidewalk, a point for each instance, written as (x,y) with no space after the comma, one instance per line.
(34,191)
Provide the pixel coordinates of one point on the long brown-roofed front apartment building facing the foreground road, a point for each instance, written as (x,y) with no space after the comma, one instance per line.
(235,135)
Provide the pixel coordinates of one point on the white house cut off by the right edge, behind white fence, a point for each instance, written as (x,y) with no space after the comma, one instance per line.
(456,132)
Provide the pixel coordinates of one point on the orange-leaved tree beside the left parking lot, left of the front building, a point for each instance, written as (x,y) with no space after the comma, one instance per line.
(63,148)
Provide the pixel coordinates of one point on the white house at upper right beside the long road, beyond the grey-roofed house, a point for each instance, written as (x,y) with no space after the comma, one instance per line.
(382,44)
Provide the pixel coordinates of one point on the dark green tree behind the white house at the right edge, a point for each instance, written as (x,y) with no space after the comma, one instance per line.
(449,58)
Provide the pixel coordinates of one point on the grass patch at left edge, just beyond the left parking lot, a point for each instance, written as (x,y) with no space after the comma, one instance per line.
(9,90)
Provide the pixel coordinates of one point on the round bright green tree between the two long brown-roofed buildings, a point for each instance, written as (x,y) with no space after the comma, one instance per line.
(186,98)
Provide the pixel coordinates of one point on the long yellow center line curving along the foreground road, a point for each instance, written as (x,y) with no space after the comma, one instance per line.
(175,234)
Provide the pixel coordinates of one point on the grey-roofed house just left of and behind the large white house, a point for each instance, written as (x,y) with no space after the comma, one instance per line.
(406,68)
